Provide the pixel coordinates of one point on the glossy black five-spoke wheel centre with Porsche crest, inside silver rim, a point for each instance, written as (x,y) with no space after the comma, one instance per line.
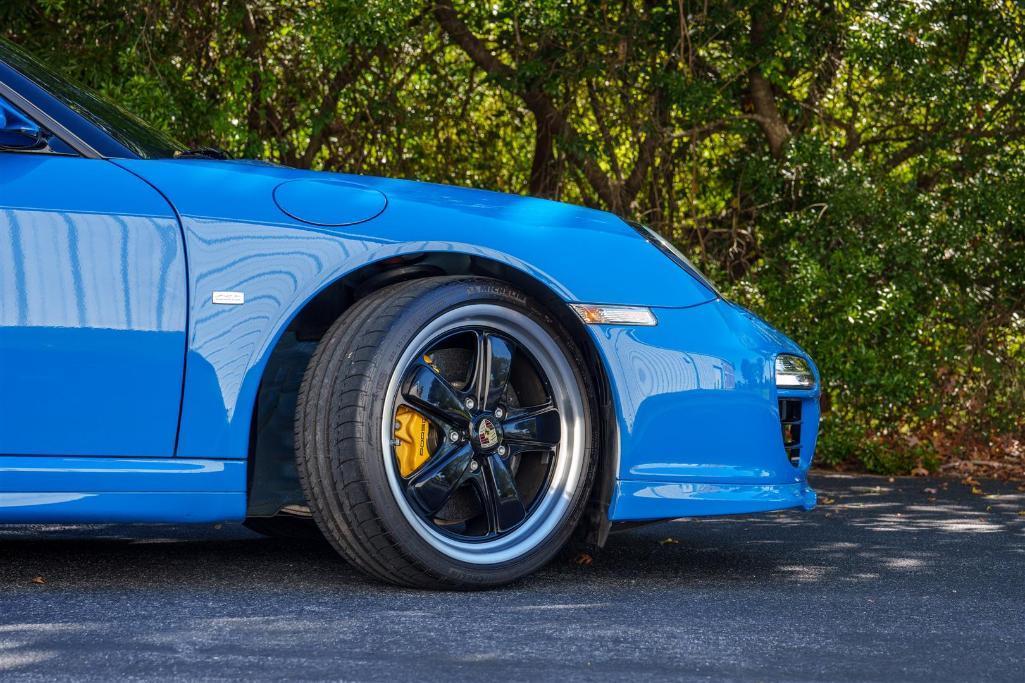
(525,445)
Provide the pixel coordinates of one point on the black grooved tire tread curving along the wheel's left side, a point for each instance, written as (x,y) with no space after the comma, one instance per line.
(331,429)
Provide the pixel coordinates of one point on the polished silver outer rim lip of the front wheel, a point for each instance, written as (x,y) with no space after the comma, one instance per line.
(569,470)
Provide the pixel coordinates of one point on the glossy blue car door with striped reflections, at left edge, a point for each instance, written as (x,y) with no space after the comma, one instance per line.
(93,310)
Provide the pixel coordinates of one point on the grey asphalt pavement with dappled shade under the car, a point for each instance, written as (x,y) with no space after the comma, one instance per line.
(911,580)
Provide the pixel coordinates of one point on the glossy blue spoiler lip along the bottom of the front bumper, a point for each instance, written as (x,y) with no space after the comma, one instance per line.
(639,501)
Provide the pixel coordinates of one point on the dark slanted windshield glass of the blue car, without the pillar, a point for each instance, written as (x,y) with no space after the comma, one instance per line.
(116,123)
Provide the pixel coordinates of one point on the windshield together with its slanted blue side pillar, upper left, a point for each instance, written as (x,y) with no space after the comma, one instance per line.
(87,122)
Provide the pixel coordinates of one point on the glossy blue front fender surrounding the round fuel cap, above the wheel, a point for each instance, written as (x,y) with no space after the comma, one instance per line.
(238,240)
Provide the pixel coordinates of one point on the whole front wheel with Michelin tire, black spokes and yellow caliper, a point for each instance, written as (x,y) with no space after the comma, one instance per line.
(445,434)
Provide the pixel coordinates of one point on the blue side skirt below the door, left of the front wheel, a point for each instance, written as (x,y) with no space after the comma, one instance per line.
(87,491)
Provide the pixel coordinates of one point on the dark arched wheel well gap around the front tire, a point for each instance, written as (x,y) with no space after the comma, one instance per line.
(273,484)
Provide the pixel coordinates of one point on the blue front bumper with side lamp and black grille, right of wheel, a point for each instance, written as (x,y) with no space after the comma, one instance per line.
(698,416)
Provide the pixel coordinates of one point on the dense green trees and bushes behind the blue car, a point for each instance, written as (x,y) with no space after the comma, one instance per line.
(852,171)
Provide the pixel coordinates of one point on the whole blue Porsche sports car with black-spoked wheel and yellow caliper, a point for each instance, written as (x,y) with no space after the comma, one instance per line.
(449,385)
